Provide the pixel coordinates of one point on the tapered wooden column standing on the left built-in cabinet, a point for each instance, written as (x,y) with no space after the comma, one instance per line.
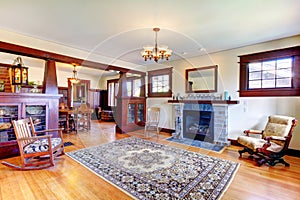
(50,78)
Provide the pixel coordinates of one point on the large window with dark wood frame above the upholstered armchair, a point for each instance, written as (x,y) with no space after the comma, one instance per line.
(271,73)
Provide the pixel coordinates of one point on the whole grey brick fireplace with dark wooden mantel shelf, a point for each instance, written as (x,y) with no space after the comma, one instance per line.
(213,113)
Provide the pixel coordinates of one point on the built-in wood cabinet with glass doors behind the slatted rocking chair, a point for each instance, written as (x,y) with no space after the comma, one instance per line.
(42,108)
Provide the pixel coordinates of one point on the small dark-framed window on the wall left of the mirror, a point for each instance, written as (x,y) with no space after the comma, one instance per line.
(160,83)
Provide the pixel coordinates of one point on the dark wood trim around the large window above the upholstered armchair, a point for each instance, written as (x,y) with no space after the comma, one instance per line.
(293,52)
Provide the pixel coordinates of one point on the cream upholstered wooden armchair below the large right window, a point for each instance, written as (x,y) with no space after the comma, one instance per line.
(273,142)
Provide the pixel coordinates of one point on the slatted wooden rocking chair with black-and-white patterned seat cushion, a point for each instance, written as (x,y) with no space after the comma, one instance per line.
(37,148)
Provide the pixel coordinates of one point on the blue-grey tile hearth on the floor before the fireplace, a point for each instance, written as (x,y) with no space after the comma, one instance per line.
(197,143)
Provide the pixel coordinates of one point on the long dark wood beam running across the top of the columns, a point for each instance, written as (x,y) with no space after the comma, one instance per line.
(45,55)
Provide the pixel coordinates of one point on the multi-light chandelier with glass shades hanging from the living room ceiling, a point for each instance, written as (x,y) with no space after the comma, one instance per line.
(156,52)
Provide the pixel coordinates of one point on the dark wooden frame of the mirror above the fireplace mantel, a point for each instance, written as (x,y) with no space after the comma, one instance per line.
(188,88)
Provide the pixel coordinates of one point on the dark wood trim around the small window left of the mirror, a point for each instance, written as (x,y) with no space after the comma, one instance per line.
(167,71)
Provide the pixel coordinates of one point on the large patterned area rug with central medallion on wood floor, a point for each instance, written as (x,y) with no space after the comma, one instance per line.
(148,170)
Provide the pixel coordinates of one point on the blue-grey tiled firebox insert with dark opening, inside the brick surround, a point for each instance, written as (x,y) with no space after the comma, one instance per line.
(198,122)
